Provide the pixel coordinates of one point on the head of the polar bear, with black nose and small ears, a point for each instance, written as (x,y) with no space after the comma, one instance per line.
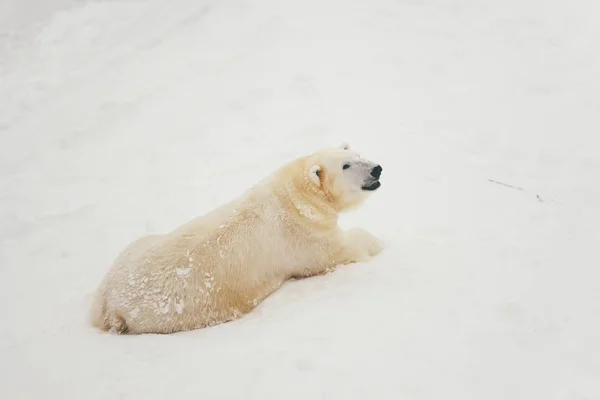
(344,178)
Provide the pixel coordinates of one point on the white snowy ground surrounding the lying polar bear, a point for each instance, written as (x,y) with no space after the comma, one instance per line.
(120,118)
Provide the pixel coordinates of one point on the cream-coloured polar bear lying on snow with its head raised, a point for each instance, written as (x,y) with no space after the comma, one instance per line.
(220,266)
